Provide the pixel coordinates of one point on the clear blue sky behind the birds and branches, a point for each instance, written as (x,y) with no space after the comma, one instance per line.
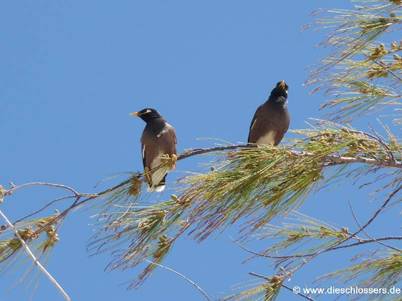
(70,73)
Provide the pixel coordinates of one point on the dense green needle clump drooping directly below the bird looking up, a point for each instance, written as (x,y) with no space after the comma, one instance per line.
(245,182)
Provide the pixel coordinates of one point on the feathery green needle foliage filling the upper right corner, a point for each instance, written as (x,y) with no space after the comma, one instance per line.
(361,74)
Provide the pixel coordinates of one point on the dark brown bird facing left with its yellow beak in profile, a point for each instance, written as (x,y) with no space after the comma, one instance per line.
(158,145)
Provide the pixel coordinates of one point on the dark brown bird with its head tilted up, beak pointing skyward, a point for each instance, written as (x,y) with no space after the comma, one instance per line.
(271,120)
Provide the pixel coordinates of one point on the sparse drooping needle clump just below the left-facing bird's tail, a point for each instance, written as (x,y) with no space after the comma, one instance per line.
(143,230)
